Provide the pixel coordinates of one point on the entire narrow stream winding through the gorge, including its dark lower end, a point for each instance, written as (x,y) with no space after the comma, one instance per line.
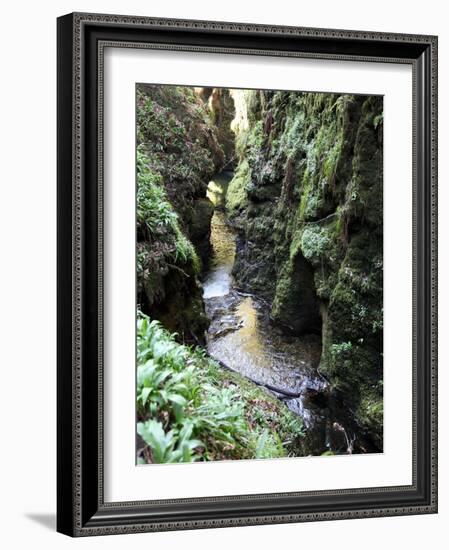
(241,337)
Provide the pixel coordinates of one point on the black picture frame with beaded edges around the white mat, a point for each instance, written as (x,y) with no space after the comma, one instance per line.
(81,509)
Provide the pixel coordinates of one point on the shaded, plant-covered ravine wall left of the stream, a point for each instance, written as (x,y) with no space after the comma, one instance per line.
(177,154)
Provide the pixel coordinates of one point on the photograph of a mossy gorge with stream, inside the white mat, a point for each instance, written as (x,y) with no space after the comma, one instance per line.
(259,273)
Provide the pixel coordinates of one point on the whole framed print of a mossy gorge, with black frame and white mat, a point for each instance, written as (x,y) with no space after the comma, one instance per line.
(246,274)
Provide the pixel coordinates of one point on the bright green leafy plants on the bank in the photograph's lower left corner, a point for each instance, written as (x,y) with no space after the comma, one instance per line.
(190,409)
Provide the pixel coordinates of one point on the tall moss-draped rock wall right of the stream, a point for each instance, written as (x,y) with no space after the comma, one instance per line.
(307,201)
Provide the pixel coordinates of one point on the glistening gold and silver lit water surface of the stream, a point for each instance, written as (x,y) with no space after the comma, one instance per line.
(240,334)
